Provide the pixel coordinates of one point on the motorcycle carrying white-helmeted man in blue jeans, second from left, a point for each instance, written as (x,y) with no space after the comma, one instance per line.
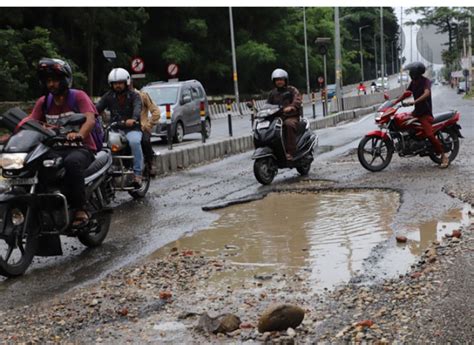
(122,166)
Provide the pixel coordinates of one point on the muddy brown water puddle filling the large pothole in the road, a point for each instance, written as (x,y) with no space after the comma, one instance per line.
(330,237)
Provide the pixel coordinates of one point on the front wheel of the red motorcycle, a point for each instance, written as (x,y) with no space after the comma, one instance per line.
(375,153)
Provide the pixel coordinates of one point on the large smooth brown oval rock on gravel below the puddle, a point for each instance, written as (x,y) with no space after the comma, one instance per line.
(280,318)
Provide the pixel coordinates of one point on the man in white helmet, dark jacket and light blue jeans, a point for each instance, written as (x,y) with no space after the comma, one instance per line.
(125,104)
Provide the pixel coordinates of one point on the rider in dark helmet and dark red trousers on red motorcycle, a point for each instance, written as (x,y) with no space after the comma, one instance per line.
(421,89)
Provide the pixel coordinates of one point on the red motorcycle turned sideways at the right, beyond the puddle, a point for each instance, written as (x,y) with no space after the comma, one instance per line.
(402,133)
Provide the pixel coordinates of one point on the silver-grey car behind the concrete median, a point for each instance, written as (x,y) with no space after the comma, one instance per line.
(184,98)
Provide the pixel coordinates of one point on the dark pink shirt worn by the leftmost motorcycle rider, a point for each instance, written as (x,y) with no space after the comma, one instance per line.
(56,112)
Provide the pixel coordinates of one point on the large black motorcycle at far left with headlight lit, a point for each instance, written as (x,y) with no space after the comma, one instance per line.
(34,212)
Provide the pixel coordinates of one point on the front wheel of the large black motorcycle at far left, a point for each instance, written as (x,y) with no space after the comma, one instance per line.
(22,247)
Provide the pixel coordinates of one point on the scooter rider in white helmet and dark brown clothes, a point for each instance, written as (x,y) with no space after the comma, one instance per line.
(289,98)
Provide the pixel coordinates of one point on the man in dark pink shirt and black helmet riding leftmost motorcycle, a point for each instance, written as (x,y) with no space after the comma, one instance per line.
(55,78)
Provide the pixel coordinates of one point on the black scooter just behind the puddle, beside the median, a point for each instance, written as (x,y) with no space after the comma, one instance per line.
(270,153)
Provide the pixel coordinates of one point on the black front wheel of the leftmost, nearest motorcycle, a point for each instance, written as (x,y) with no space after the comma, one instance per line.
(18,248)
